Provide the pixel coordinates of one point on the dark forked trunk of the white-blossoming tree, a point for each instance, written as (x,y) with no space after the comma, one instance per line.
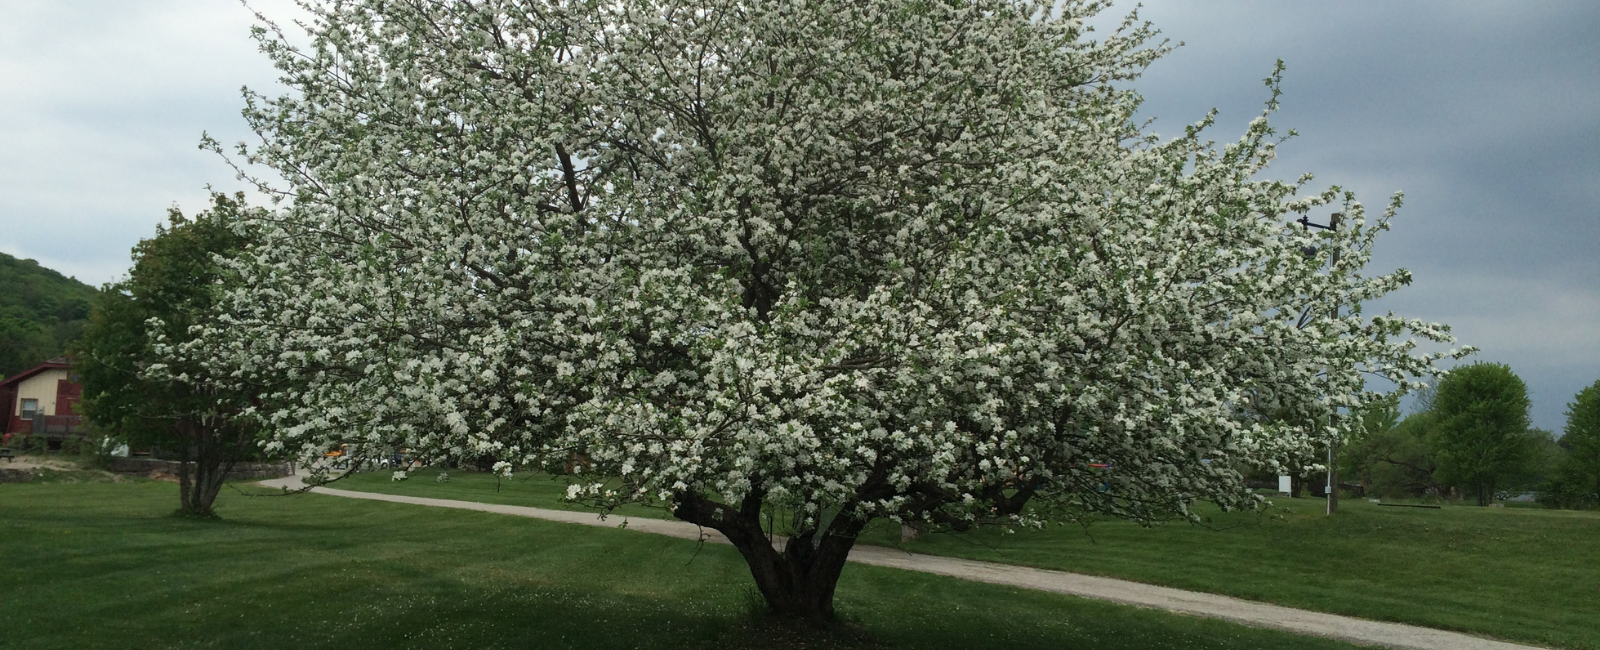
(798,582)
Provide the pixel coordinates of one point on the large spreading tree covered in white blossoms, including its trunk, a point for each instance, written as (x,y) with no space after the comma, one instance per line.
(791,268)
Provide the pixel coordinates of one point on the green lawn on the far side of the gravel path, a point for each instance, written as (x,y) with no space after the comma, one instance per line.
(1529,576)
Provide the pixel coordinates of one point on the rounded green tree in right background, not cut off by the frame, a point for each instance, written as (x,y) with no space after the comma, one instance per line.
(1482,436)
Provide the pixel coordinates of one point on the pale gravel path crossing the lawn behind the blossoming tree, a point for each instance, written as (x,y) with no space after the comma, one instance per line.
(1122,592)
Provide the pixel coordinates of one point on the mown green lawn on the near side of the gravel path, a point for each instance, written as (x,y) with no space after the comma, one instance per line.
(105,566)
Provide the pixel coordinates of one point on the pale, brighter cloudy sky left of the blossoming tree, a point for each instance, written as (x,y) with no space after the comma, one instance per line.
(105,106)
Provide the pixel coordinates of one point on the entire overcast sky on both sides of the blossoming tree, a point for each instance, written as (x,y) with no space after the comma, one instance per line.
(1487,116)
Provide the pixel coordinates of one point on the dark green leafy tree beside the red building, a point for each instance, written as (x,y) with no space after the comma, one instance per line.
(174,286)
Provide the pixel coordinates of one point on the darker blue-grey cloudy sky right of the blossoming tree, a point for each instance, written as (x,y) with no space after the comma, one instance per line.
(1482,113)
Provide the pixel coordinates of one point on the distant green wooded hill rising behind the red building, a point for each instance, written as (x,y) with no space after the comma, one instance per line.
(39,313)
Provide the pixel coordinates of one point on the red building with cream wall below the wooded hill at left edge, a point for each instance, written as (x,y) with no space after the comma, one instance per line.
(42,399)
